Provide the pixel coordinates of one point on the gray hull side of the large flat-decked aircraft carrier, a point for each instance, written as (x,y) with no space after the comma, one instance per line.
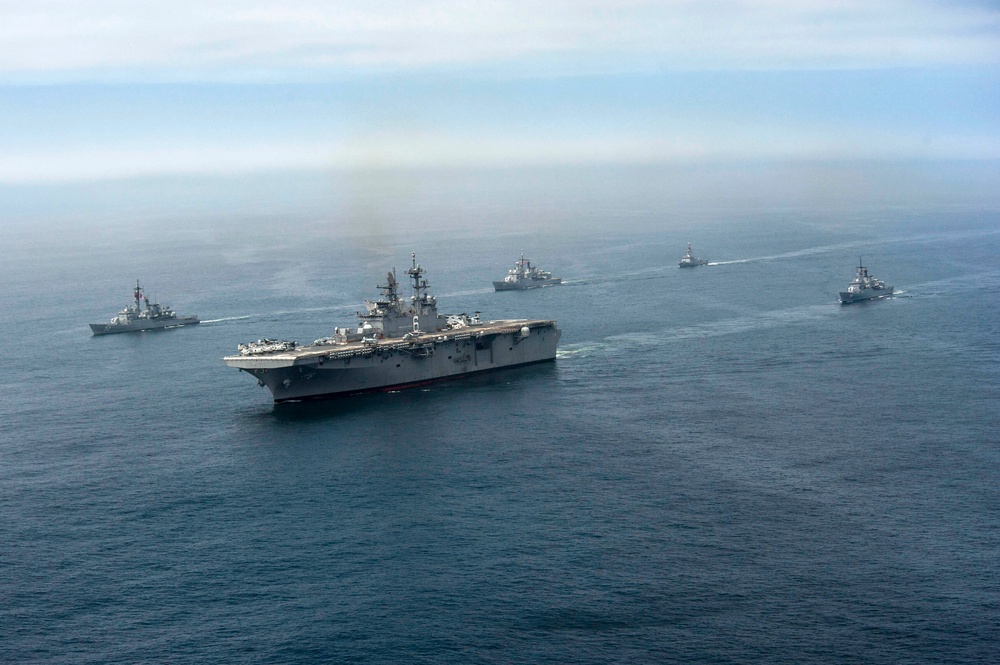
(395,369)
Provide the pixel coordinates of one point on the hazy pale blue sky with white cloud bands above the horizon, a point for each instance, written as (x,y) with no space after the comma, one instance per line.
(107,88)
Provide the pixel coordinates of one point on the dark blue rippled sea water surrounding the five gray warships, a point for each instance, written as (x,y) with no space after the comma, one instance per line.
(722,465)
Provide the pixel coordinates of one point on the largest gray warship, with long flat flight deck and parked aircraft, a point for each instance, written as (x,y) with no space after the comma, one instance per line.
(396,345)
